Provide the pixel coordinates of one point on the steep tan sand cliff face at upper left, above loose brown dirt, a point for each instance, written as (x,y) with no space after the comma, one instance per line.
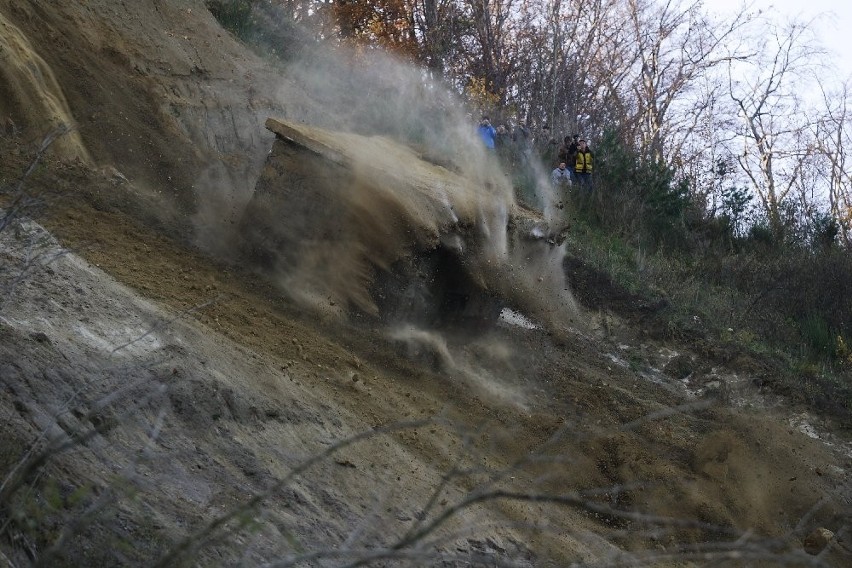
(155,89)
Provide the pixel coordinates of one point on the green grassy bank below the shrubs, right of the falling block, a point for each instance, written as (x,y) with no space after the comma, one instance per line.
(743,303)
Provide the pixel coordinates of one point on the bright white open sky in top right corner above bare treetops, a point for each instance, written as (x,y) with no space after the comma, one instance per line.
(834,28)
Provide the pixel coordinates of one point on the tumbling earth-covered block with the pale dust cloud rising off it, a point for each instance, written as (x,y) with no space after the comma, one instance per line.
(409,195)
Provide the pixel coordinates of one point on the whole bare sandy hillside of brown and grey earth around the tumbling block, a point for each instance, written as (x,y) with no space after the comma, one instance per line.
(207,387)
